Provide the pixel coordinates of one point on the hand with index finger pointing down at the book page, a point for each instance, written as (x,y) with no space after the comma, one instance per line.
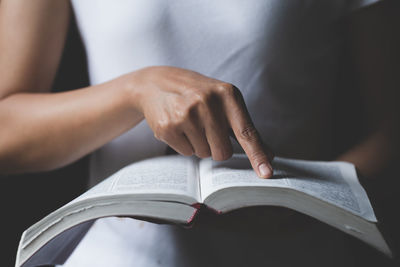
(195,114)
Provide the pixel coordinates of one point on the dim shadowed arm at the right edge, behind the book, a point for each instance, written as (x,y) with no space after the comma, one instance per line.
(375,49)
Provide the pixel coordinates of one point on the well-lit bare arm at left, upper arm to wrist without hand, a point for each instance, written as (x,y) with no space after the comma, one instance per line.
(39,130)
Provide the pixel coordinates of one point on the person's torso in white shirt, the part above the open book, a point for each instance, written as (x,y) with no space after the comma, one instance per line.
(282,55)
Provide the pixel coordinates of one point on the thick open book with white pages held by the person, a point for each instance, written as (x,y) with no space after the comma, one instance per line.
(170,189)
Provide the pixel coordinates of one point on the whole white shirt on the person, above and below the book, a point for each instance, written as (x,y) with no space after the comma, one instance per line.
(282,55)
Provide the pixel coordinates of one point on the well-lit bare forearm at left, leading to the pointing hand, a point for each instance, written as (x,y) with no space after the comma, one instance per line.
(45,131)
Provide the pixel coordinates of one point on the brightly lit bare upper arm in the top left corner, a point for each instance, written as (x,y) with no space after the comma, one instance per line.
(32,35)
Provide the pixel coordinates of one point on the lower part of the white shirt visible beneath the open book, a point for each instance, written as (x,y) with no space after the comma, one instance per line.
(126,242)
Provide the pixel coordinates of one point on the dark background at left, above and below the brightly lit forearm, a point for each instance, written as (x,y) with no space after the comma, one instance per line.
(25,199)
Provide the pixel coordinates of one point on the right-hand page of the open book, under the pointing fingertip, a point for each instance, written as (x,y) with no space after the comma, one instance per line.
(332,182)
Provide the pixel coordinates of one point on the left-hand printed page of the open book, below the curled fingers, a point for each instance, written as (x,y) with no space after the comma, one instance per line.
(161,175)
